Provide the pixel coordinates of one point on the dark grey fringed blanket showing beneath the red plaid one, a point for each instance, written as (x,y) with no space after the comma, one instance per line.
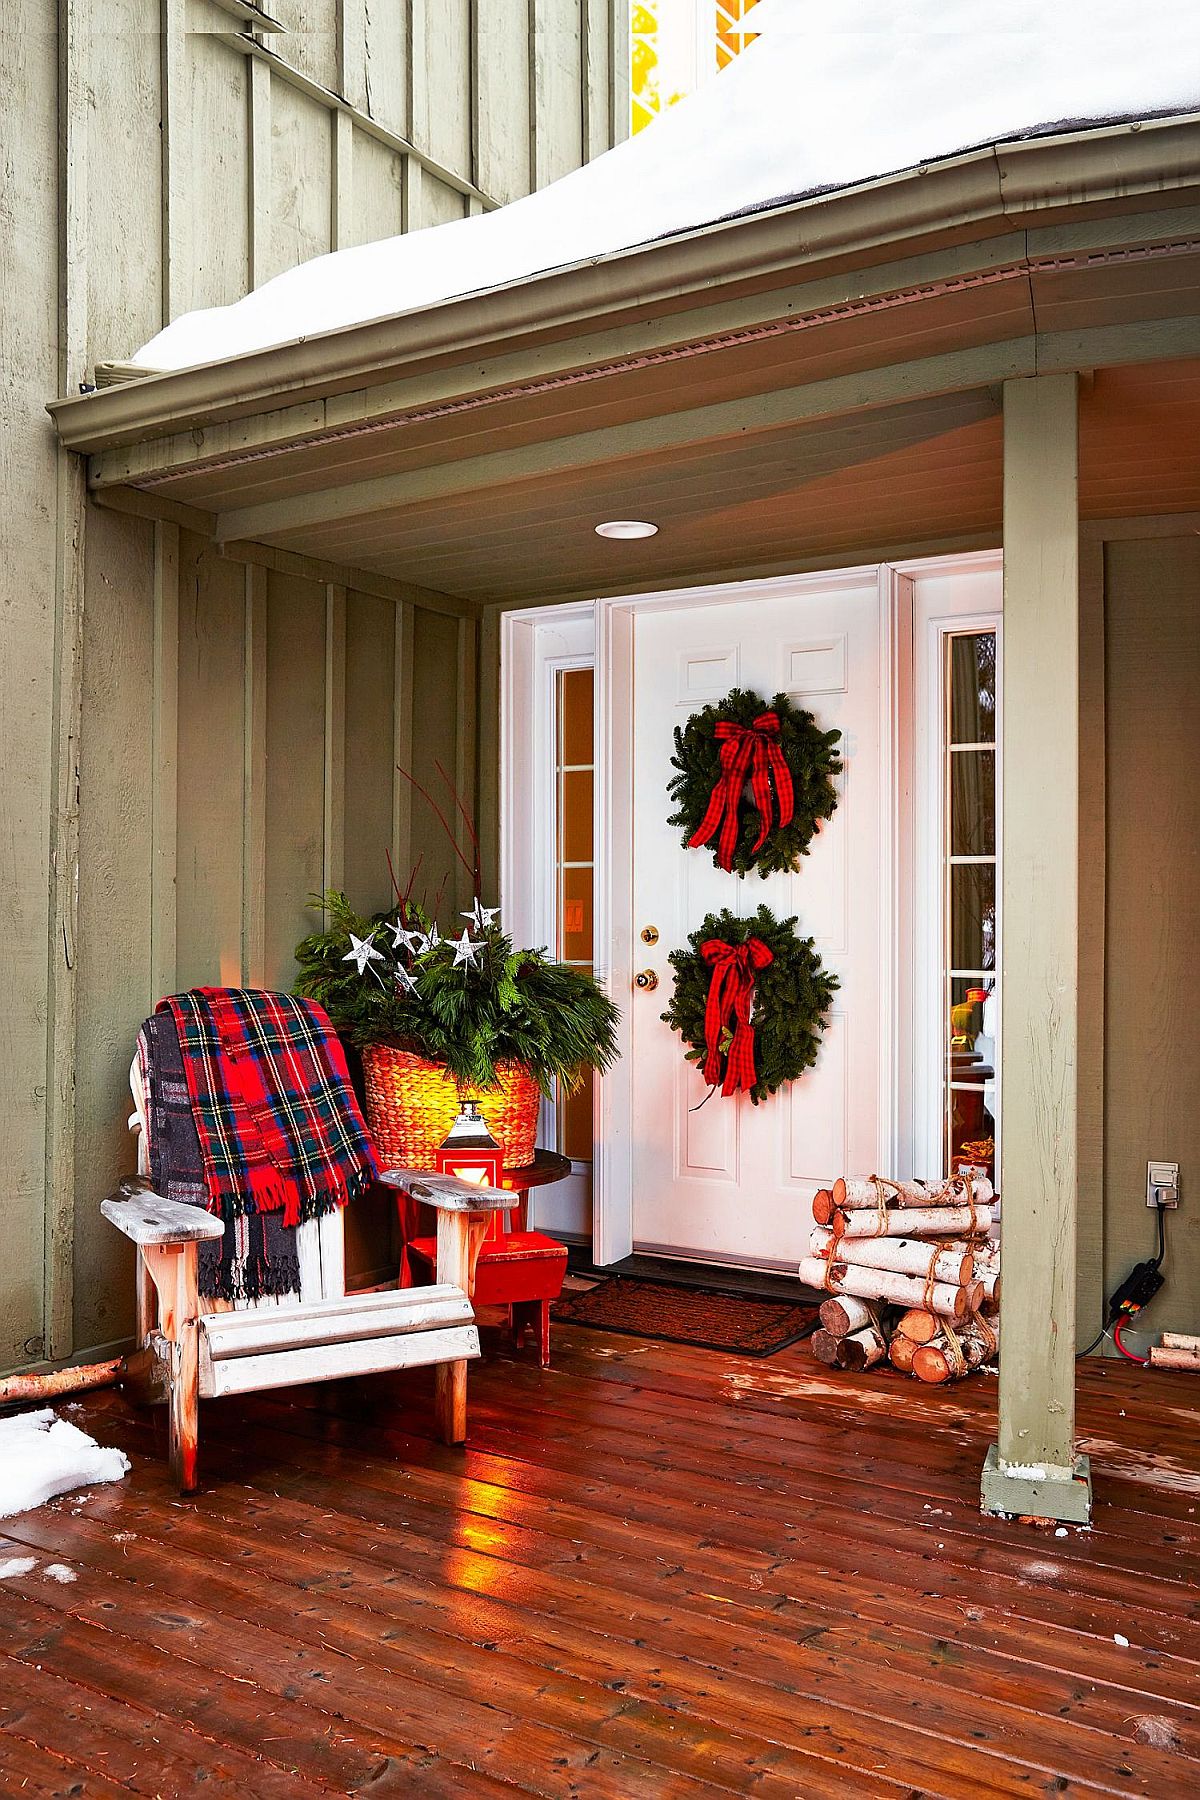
(256,1259)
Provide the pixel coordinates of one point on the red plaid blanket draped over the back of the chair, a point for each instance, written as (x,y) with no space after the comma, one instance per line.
(278,1119)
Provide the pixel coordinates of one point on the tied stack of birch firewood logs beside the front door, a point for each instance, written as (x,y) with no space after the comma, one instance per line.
(913,1273)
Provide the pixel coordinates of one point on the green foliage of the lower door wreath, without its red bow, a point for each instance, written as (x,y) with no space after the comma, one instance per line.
(793,998)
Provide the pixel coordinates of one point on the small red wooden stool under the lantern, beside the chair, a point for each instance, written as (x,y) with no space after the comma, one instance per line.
(517,1270)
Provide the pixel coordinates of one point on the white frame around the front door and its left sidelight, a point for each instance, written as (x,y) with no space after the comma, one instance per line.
(533,645)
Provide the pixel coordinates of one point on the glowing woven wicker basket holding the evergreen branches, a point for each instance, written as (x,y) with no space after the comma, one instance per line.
(413,1104)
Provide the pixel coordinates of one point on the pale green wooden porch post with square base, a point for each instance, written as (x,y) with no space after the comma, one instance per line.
(1034,1468)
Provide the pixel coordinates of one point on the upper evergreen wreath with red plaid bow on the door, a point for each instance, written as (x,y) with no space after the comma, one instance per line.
(726,748)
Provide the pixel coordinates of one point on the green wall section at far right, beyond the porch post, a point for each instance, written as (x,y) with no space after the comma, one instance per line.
(1152,1048)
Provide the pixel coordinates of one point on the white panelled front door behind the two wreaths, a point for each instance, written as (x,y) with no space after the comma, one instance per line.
(730,1182)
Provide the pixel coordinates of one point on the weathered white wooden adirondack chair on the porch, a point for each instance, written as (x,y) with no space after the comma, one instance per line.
(208,1349)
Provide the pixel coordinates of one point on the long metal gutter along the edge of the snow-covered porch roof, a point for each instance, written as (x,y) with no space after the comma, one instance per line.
(1039,183)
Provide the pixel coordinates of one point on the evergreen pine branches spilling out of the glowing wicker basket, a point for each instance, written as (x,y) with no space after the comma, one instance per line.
(506,1007)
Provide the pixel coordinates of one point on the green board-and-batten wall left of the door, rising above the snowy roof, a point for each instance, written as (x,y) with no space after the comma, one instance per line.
(220,735)
